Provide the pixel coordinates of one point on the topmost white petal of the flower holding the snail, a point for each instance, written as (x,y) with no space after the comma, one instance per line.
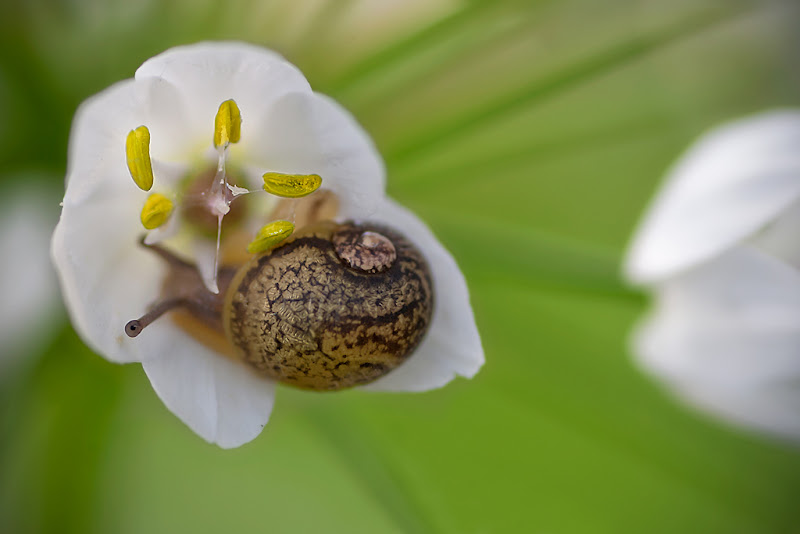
(204,75)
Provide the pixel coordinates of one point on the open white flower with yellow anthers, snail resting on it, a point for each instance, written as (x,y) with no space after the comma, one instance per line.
(108,278)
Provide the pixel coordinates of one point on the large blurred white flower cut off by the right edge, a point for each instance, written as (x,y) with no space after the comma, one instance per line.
(720,247)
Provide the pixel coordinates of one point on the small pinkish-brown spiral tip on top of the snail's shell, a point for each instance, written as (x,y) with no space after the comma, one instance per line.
(366,251)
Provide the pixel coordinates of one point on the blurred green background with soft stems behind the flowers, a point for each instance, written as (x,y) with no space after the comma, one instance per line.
(529,135)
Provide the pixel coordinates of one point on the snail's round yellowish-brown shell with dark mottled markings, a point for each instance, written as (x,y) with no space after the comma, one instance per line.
(301,315)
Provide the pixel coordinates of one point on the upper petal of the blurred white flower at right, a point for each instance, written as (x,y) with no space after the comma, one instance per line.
(728,186)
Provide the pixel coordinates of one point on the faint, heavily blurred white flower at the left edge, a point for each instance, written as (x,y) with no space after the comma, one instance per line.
(29,306)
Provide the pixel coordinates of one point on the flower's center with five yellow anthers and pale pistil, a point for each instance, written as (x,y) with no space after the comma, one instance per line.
(208,203)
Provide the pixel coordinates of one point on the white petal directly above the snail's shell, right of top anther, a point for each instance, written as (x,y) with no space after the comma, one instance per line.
(312,134)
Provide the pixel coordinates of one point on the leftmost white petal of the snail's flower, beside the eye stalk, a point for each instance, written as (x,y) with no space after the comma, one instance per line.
(105,278)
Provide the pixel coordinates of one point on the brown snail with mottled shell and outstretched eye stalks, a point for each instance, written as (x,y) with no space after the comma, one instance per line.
(333,306)
